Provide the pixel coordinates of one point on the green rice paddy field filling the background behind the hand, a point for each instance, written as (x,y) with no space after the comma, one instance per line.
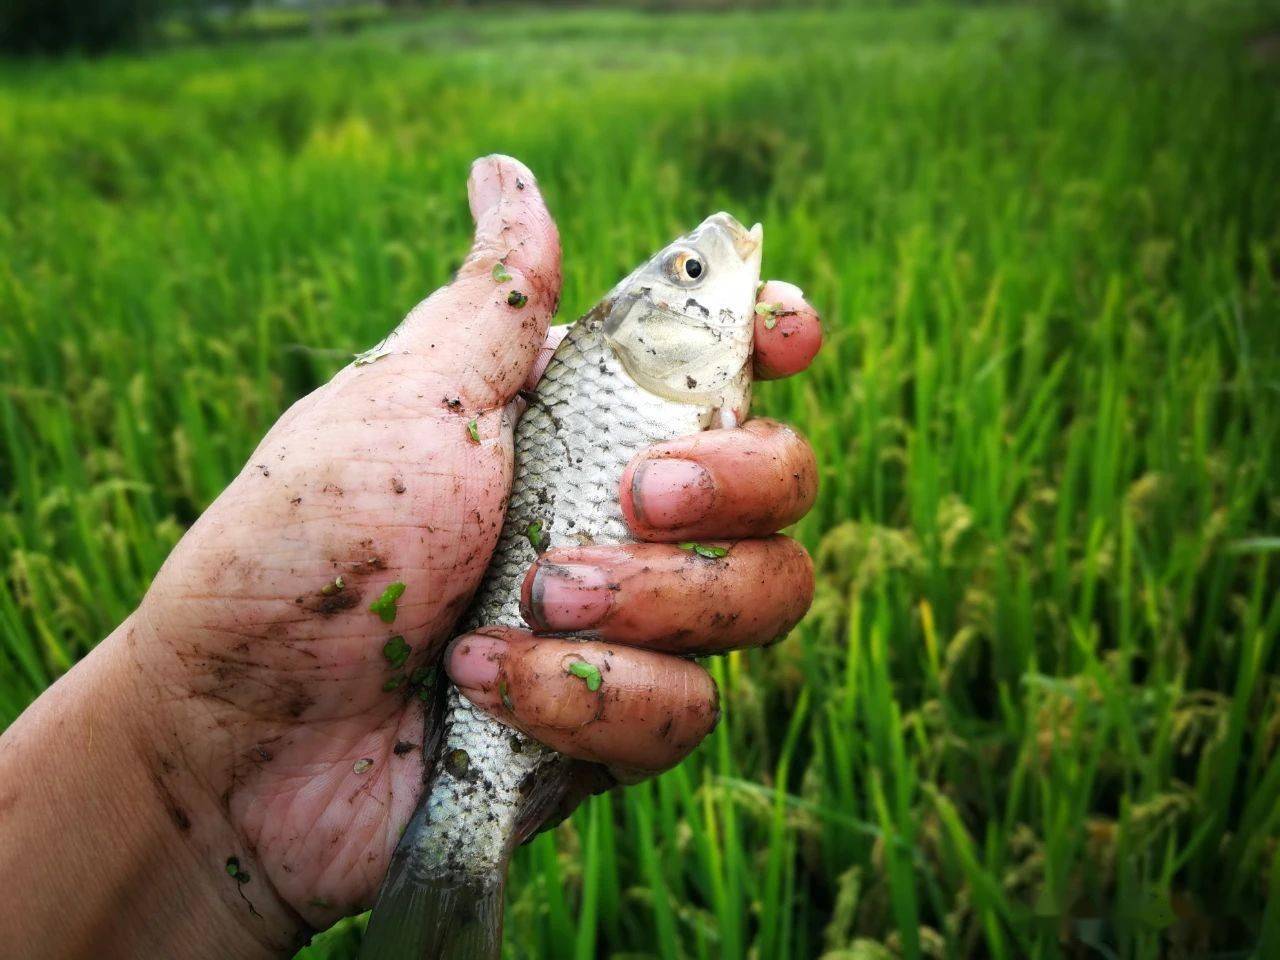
(1035,711)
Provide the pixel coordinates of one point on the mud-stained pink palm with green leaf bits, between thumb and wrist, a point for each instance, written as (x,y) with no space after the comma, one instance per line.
(377,481)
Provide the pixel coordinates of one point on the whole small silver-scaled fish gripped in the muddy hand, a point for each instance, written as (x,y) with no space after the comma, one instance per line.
(666,354)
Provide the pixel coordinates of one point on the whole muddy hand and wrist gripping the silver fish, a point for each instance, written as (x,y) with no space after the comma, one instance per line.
(236,762)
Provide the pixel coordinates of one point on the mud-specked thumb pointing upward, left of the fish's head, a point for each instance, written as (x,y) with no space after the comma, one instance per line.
(484,330)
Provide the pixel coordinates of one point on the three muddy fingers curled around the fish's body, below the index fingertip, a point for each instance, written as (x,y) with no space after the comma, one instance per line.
(639,604)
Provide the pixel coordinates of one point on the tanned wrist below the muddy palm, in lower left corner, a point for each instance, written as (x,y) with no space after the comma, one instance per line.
(112,845)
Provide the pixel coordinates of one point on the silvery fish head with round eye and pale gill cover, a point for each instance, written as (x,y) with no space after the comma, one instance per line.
(683,323)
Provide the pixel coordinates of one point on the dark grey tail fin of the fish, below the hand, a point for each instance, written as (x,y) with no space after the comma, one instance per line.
(437,918)
